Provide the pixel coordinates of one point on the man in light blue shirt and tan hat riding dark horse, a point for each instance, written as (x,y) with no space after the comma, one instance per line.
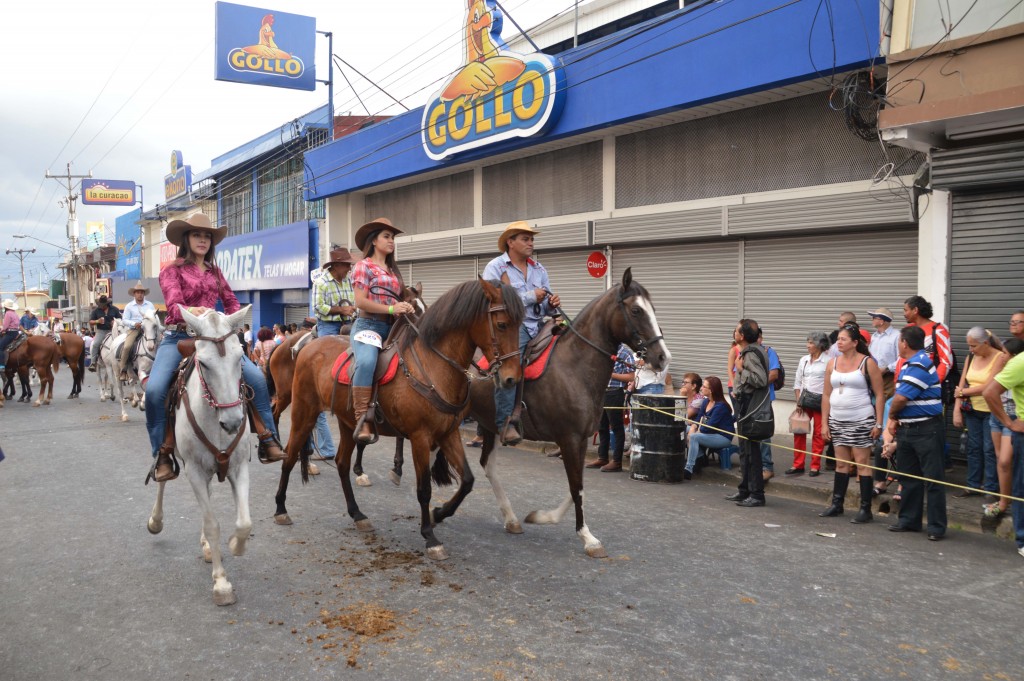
(517,268)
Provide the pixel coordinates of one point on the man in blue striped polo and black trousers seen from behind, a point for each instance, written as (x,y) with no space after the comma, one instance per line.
(916,423)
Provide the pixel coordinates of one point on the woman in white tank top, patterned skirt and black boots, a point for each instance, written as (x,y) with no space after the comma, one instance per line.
(852,422)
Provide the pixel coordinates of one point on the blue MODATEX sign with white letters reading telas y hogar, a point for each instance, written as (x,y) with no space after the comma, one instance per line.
(277,259)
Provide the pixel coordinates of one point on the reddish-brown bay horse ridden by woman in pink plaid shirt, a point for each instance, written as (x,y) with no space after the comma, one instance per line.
(424,403)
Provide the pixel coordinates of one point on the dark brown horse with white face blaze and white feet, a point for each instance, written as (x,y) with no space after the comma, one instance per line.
(565,404)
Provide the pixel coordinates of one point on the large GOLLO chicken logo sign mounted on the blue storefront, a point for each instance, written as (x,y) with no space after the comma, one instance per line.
(497,95)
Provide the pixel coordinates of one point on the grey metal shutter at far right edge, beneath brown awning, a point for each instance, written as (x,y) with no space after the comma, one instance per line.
(987,260)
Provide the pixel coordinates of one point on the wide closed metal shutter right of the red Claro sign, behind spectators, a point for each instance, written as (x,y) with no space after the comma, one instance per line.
(794,286)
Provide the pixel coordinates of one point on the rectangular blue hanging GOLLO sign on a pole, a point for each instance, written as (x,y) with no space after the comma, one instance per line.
(265,48)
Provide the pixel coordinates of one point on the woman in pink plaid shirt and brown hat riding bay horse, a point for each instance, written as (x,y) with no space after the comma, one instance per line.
(378,285)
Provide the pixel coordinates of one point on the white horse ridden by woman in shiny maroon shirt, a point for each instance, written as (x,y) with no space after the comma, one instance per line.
(210,434)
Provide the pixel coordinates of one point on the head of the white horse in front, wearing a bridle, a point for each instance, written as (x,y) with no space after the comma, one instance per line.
(219,363)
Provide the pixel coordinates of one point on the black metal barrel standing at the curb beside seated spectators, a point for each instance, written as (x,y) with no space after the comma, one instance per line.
(658,453)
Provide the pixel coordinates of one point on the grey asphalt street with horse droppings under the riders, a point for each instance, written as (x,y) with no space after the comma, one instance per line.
(694,588)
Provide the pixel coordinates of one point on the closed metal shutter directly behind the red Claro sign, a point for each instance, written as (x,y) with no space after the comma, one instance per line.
(696,291)
